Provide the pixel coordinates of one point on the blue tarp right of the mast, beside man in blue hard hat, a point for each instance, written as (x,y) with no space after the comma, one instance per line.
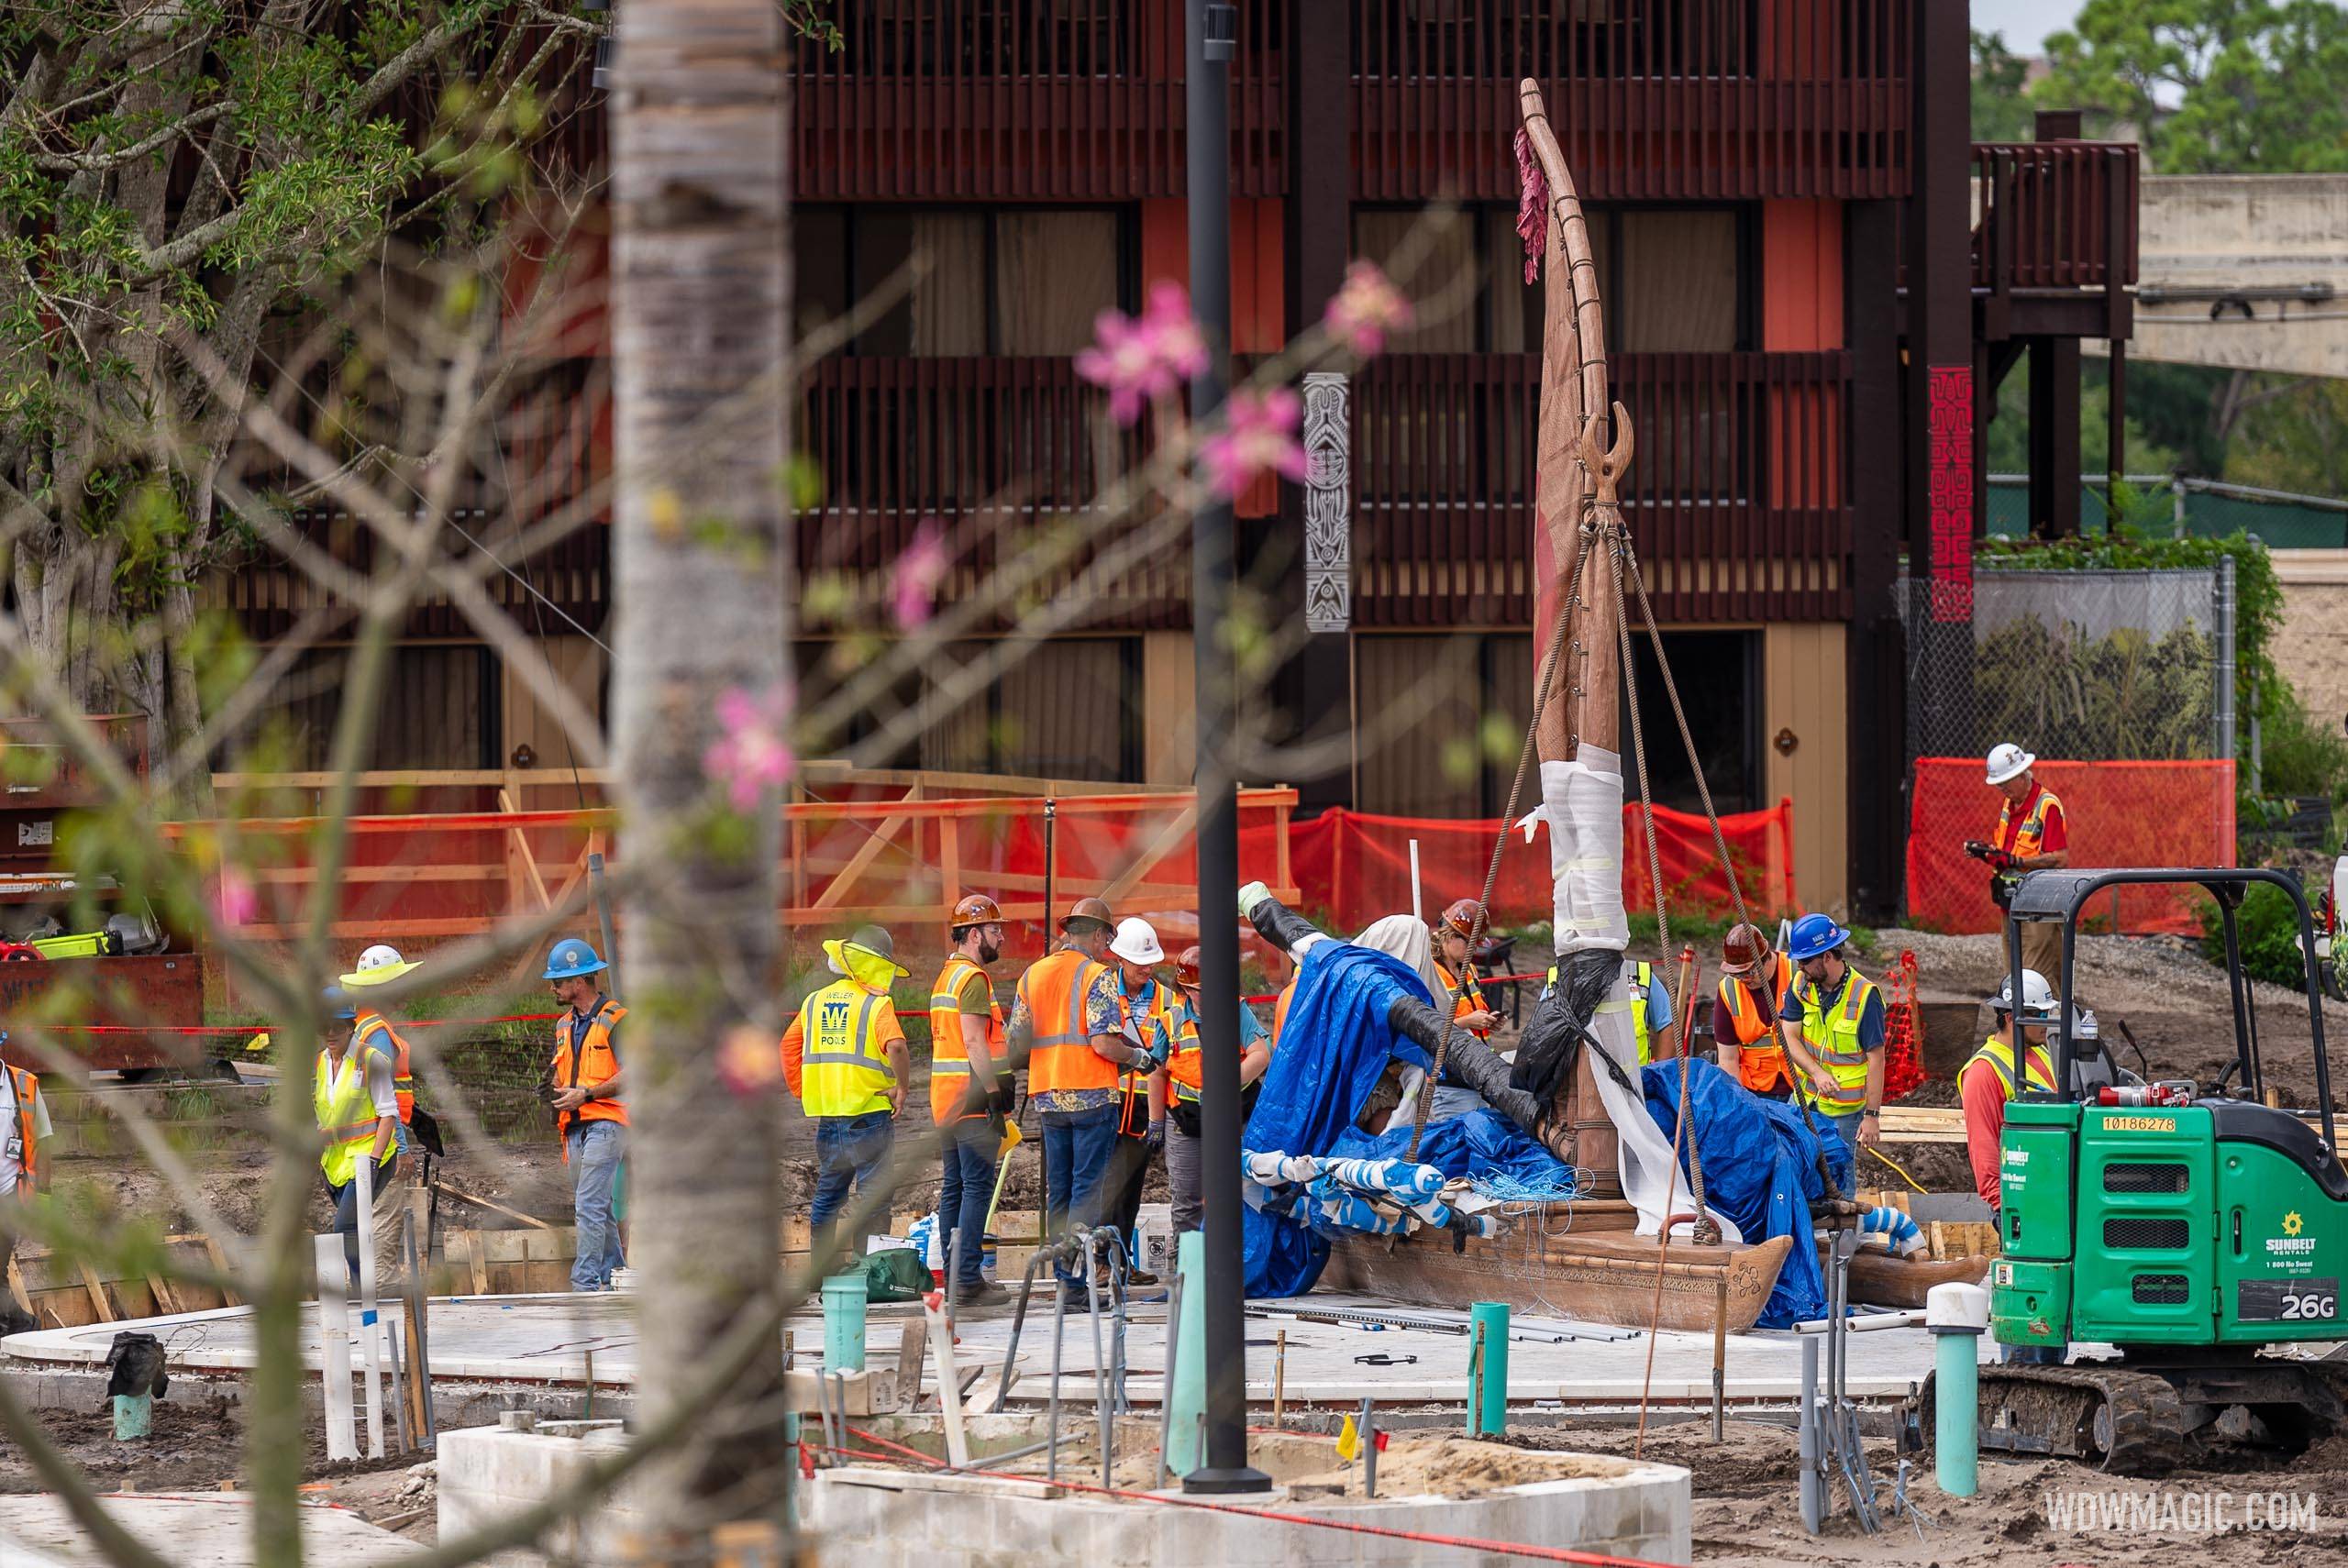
(1760,1170)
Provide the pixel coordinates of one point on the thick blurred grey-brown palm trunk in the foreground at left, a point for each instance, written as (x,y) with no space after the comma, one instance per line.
(701,299)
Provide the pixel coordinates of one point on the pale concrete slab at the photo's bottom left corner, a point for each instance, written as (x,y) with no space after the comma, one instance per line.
(189,1529)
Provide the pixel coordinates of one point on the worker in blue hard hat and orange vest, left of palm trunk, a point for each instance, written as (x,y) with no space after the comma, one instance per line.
(588,1109)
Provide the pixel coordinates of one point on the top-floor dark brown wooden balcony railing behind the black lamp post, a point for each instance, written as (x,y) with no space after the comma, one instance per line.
(1023,100)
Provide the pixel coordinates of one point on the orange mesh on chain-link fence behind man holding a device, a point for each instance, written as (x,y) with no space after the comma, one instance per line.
(2117,816)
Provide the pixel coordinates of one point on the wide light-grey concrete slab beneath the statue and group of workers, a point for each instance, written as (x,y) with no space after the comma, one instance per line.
(551,1341)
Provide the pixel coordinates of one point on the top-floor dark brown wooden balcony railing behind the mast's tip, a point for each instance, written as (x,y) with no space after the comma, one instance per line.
(1654,100)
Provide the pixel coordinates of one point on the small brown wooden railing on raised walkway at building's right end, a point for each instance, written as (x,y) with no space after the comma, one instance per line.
(2056,215)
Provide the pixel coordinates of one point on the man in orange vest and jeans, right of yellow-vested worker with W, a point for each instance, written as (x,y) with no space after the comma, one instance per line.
(971,1095)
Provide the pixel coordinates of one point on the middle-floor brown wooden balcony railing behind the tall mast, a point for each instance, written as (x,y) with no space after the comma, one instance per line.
(1734,499)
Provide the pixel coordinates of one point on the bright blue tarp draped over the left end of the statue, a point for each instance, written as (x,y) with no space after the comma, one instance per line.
(1311,1095)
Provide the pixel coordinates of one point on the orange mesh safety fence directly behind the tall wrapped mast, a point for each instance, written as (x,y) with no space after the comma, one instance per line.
(1358,867)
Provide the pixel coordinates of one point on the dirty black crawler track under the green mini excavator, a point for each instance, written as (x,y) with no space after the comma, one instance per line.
(2126,1424)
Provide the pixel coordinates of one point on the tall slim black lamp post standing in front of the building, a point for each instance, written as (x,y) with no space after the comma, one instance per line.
(1213,41)
